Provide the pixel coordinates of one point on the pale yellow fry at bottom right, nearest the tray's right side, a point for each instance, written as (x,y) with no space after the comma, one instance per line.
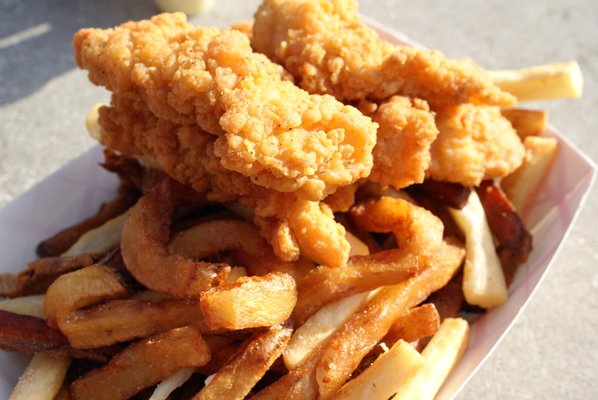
(440,355)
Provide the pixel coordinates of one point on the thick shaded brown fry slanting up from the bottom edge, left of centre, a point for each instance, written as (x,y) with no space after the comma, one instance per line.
(142,365)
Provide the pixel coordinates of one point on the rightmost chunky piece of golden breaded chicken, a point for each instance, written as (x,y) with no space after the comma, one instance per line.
(474,143)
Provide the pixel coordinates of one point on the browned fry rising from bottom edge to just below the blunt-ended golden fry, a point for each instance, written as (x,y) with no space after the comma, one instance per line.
(236,379)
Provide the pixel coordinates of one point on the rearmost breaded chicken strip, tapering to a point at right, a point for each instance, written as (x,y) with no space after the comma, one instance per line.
(328,49)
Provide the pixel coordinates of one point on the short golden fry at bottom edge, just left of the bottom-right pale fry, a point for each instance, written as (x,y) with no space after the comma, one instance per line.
(386,375)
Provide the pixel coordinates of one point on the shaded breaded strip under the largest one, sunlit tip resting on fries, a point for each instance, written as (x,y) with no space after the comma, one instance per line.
(291,224)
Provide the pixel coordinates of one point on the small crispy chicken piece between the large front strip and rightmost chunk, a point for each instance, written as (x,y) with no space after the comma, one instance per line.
(405,134)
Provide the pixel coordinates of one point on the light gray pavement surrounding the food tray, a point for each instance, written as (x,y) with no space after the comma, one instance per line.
(552,351)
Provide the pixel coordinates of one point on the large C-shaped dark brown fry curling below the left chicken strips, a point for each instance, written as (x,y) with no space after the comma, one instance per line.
(144,248)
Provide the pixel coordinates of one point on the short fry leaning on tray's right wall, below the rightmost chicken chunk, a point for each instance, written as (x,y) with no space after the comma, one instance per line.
(521,185)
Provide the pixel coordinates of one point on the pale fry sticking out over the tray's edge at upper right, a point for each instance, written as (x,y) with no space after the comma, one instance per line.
(542,82)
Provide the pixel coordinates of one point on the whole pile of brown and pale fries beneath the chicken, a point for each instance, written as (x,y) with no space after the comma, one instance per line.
(228,320)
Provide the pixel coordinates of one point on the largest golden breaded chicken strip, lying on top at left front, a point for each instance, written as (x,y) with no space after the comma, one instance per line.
(266,128)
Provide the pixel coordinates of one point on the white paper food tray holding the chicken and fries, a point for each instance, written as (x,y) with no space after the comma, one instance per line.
(77,189)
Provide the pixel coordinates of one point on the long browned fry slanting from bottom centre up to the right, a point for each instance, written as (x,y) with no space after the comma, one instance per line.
(348,345)
